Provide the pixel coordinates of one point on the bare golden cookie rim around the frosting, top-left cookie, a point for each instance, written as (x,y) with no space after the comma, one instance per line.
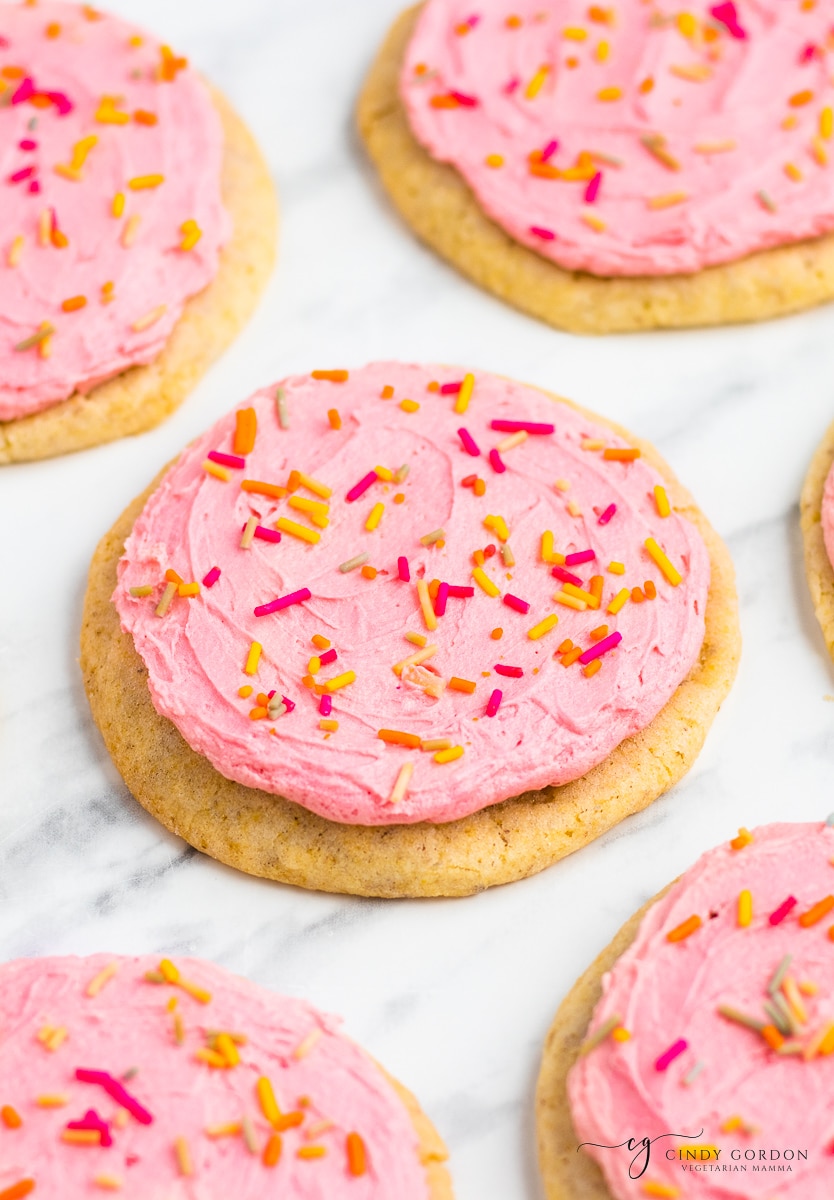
(142,397)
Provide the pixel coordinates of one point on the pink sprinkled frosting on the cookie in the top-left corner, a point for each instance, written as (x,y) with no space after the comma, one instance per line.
(152,279)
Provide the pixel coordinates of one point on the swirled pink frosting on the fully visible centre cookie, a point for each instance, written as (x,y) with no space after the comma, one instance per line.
(554,723)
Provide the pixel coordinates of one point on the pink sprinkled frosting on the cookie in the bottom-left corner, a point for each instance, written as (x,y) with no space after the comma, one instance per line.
(333,1085)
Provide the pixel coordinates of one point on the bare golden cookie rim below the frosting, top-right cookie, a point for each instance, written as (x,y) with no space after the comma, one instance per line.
(441,208)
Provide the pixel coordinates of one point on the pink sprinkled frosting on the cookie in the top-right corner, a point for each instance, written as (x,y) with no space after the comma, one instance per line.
(754,79)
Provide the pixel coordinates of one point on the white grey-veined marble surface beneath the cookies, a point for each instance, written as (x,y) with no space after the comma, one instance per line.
(454,997)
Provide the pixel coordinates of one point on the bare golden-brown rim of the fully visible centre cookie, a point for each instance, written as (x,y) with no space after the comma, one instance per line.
(267,836)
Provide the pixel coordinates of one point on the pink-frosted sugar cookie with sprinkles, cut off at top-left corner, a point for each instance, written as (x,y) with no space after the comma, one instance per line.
(139,226)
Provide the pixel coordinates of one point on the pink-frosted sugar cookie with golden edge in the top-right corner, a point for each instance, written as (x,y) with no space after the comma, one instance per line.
(615,167)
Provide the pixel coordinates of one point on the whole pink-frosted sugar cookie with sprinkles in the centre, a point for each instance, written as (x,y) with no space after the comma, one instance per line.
(409,631)
